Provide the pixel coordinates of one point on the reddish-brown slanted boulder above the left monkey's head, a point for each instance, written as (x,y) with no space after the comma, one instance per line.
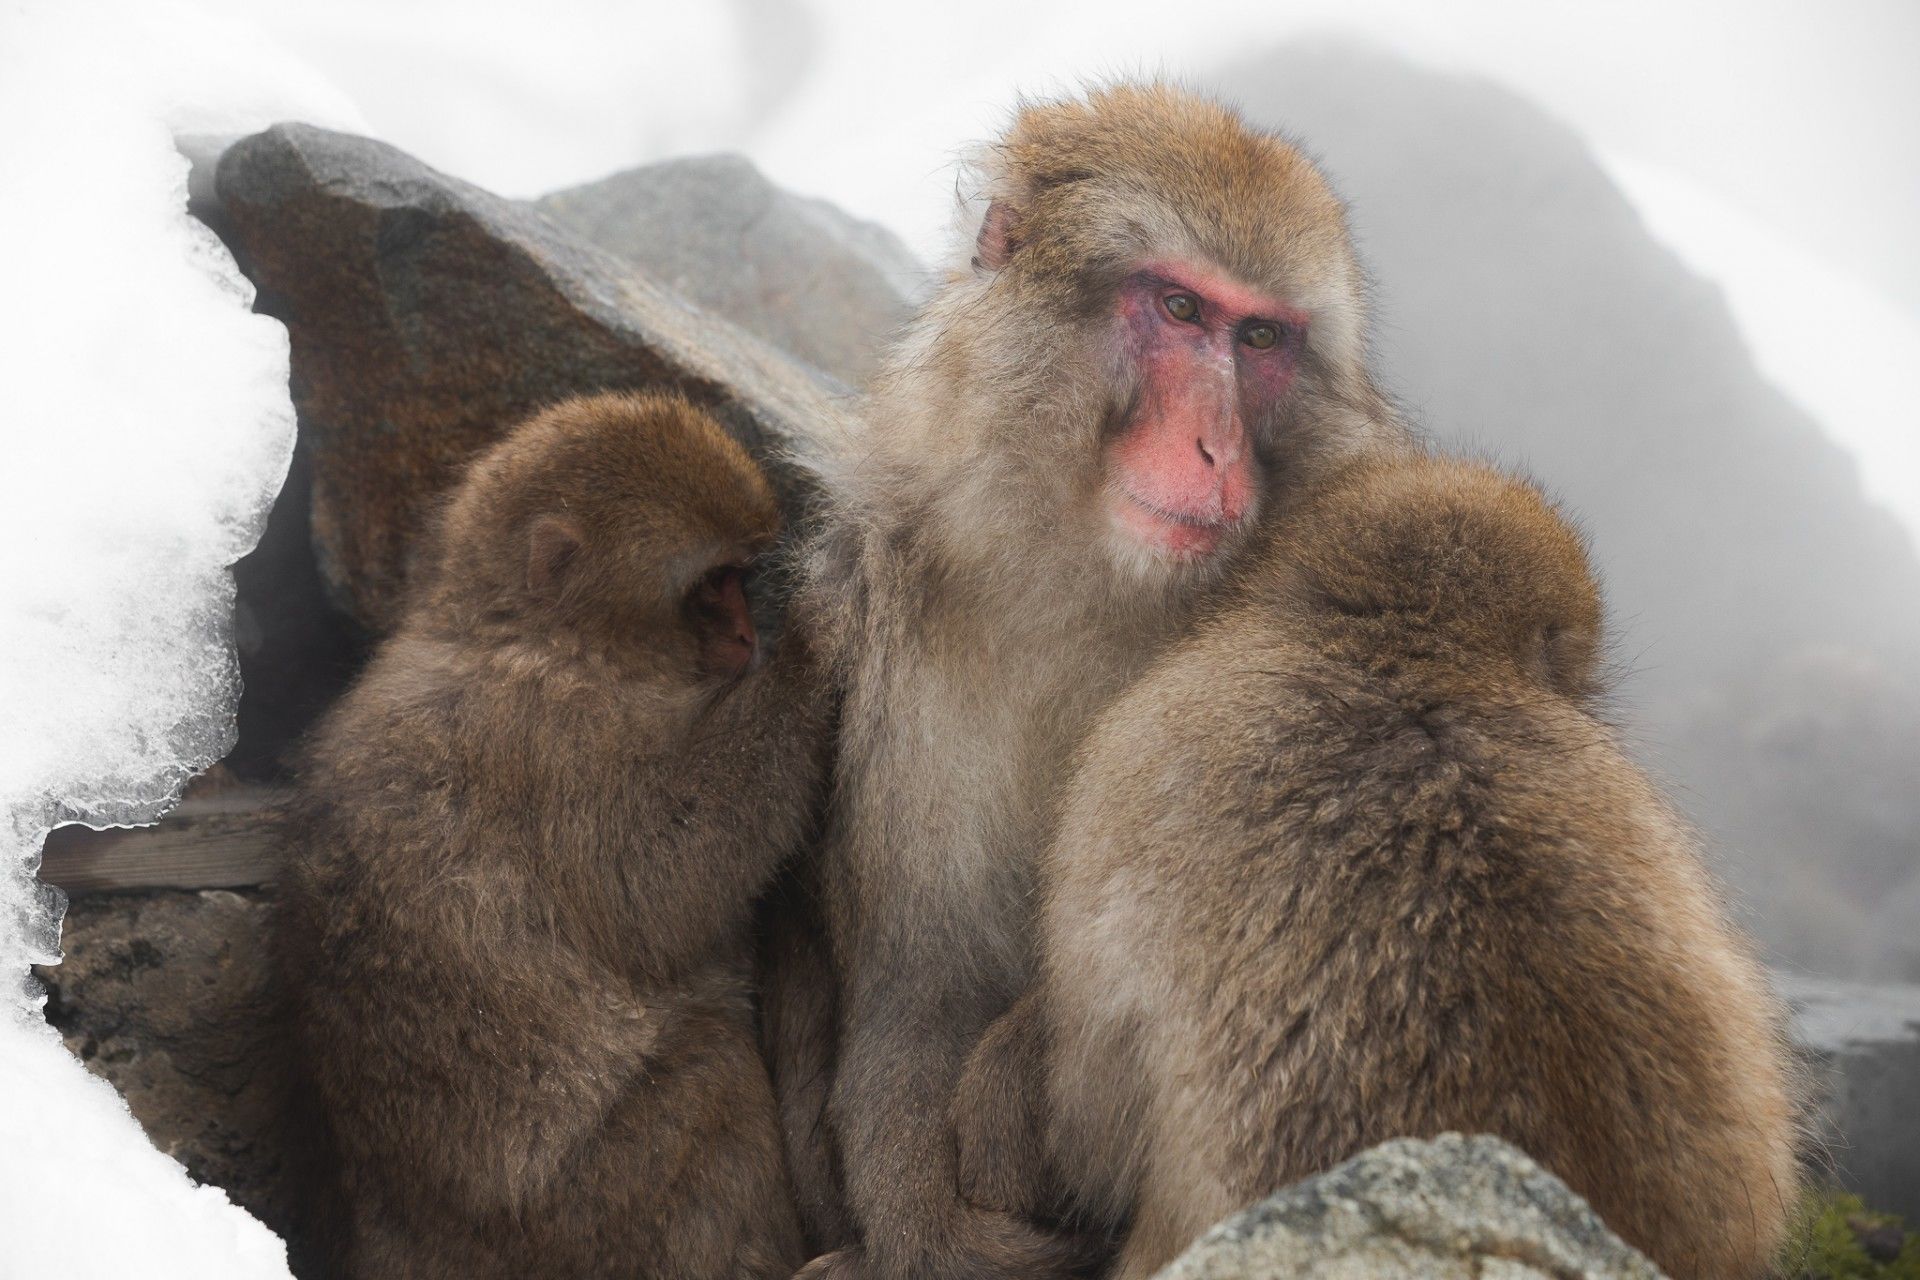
(427,316)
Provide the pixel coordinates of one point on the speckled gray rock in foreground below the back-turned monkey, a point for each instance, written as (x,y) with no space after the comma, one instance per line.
(1470,1208)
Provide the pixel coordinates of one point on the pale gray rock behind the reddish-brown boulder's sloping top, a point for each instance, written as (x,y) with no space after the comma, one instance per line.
(796,272)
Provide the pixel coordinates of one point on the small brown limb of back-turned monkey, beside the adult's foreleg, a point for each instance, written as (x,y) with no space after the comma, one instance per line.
(999,1114)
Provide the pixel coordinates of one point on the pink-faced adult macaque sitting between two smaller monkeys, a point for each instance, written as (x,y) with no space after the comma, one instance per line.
(1157,343)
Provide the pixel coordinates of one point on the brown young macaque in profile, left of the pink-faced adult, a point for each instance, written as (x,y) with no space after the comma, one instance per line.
(523,865)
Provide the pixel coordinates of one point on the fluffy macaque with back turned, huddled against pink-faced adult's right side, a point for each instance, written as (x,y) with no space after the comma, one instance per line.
(1358,861)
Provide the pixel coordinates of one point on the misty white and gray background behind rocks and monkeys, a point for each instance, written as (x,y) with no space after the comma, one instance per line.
(1660,256)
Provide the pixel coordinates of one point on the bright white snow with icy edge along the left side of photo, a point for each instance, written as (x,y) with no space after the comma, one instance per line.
(147,427)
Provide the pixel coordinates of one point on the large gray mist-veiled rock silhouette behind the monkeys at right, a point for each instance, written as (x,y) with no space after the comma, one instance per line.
(1527,312)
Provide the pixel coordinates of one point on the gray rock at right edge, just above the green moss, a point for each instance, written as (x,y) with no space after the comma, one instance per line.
(1863,1047)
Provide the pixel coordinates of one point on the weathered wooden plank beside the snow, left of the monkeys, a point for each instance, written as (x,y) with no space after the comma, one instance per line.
(218,841)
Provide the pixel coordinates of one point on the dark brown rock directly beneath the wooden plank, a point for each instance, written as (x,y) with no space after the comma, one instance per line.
(166,995)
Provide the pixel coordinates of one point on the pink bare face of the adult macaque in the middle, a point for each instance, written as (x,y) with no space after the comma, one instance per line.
(1212,360)
